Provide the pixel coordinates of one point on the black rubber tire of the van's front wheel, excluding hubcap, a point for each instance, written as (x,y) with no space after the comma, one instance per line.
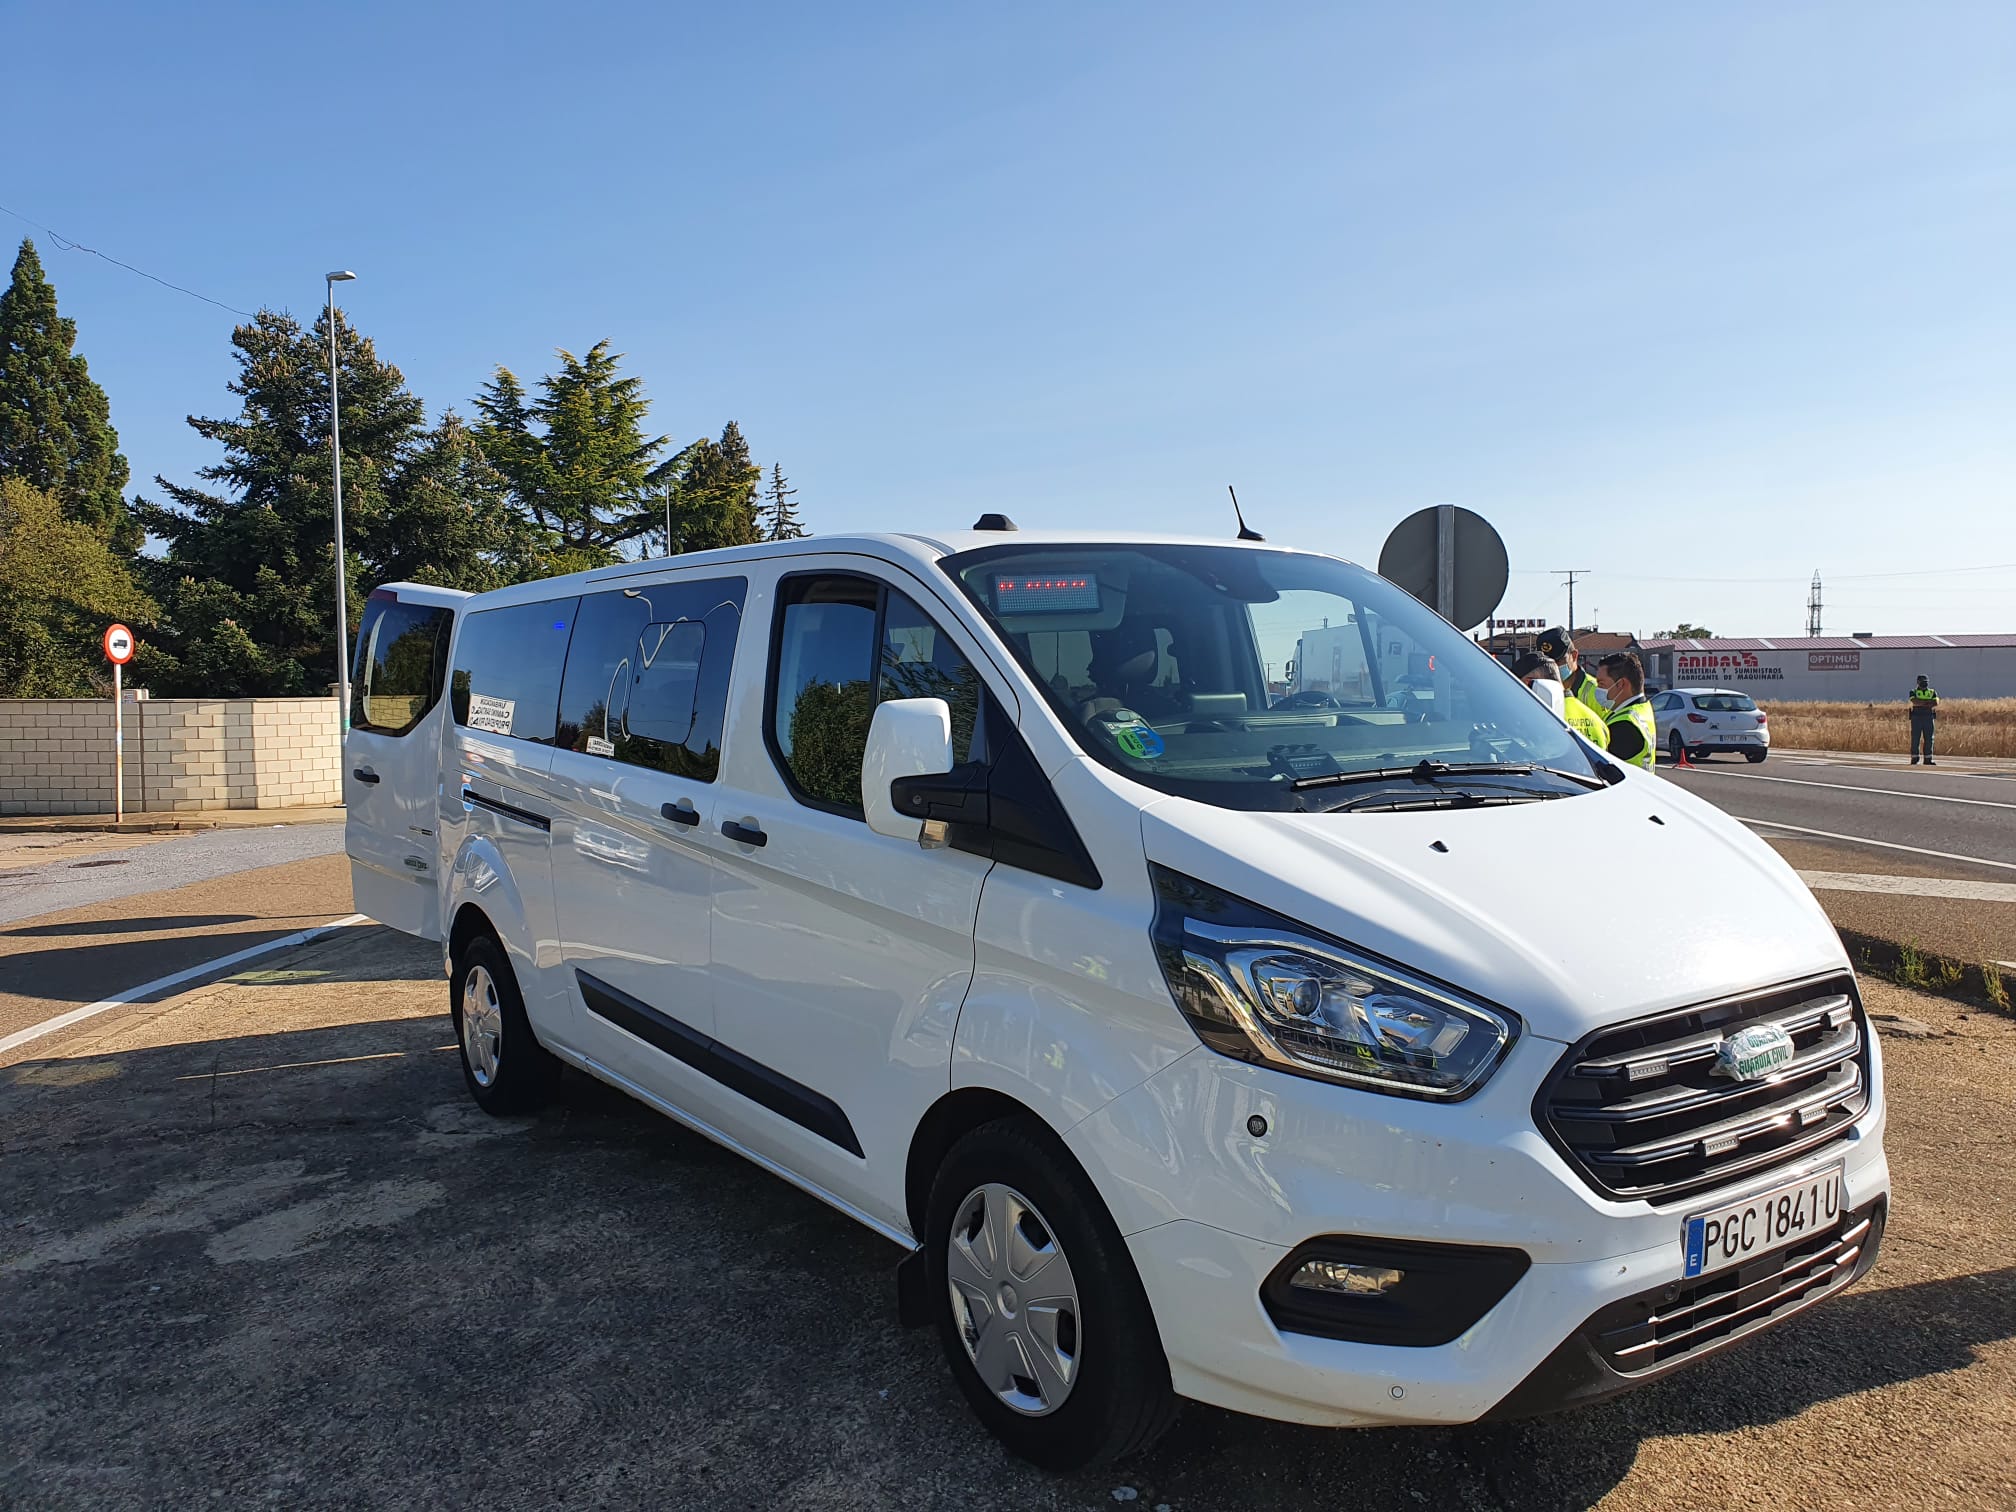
(1120,1398)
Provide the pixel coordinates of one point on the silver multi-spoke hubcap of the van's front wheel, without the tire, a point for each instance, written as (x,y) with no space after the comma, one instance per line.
(1013,1299)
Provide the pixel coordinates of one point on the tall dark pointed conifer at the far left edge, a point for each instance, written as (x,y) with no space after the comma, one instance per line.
(55,422)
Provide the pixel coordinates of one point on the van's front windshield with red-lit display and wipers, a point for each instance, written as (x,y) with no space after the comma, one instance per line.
(1267,678)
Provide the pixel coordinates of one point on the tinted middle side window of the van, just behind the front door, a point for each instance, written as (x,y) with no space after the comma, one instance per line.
(648,676)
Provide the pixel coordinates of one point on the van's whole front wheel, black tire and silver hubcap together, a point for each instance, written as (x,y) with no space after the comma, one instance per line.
(1039,1307)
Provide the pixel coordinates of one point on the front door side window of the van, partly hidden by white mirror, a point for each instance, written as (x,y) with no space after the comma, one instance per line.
(846,646)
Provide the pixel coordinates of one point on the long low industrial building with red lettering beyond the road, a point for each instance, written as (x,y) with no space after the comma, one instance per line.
(1838,668)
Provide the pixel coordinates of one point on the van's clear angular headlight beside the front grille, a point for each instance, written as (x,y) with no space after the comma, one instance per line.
(1263,989)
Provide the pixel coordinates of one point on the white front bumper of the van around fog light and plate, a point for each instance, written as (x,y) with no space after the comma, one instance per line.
(1334,1166)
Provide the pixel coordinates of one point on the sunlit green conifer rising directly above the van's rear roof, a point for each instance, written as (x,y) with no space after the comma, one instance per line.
(578,461)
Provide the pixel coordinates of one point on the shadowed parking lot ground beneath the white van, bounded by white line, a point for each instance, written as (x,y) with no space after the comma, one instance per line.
(257,1247)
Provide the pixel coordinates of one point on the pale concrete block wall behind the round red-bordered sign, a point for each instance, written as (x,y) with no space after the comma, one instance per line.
(182,755)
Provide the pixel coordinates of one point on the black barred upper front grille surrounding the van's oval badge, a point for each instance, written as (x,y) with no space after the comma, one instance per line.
(1640,1112)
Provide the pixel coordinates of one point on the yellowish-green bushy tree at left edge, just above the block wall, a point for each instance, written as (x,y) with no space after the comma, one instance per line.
(59,588)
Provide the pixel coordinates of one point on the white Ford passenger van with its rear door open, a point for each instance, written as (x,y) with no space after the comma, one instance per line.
(1194,1035)
